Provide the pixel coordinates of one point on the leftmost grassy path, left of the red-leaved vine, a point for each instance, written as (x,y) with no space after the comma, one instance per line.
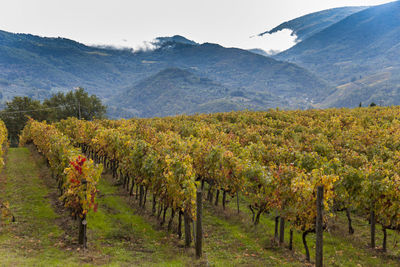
(30,240)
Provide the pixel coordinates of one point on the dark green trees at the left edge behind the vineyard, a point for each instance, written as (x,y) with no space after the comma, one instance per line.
(75,103)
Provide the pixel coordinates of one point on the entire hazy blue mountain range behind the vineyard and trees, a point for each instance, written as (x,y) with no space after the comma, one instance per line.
(344,56)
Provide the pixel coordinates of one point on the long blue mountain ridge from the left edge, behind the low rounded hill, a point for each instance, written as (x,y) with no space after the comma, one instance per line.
(37,66)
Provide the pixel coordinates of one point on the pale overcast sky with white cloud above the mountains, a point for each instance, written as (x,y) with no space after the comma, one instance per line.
(130,22)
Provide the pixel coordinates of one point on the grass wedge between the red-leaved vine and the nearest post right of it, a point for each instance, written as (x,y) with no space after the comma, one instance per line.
(125,236)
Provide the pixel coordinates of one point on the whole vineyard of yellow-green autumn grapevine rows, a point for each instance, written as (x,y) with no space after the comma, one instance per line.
(254,165)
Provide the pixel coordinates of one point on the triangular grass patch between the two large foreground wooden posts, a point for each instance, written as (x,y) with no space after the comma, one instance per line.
(234,241)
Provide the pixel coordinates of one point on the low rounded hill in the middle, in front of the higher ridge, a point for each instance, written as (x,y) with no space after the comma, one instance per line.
(176,91)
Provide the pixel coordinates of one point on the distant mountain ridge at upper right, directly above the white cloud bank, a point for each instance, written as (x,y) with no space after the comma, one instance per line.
(308,25)
